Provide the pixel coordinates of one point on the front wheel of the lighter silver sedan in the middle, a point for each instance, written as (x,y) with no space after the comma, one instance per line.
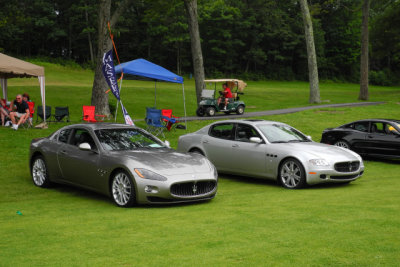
(291,174)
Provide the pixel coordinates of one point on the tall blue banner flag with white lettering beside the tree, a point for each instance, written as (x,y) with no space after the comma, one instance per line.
(109,75)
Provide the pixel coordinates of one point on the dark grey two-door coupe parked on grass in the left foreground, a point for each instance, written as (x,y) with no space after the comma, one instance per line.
(124,162)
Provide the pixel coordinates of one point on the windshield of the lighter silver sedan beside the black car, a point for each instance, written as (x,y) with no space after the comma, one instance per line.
(279,133)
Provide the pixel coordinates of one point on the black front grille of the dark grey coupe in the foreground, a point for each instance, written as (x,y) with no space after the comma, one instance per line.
(189,189)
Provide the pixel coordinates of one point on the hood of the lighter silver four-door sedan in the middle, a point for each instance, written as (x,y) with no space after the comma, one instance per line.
(318,150)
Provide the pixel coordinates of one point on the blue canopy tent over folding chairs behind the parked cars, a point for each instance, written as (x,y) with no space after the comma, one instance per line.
(143,69)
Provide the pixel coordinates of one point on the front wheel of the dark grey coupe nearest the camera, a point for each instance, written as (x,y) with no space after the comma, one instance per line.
(123,190)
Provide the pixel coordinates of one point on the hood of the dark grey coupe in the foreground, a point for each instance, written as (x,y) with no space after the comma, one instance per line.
(166,161)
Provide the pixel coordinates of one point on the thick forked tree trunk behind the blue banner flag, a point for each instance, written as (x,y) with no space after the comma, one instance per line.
(99,97)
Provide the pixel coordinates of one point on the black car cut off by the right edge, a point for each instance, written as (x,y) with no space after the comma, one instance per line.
(372,137)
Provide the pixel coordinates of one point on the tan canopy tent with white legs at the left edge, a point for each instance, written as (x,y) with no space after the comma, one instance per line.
(11,67)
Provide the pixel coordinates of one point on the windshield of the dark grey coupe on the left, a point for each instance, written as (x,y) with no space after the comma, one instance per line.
(126,139)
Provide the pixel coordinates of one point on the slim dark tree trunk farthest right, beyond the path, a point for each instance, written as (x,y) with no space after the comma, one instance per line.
(364,52)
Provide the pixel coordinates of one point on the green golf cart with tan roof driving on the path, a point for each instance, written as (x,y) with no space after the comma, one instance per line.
(209,101)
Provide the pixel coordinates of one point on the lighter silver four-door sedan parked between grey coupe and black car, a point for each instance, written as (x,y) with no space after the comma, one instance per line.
(274,150)
